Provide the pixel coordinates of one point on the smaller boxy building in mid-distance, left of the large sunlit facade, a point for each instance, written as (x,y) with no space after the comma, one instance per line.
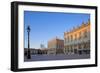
(55,46)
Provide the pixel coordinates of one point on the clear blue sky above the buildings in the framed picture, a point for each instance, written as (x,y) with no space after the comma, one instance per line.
(48,25)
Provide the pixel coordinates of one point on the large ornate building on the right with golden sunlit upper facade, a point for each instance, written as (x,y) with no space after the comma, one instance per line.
(77,41)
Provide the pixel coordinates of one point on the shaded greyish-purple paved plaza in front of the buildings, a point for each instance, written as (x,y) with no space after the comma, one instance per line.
(56,57)
